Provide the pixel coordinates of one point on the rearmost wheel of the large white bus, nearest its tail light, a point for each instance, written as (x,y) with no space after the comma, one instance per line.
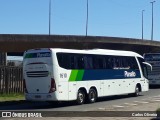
(81,97)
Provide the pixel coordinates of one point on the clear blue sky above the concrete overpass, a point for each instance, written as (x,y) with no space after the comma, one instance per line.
(113,18)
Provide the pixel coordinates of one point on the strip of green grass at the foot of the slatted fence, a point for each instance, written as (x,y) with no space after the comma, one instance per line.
(11,97)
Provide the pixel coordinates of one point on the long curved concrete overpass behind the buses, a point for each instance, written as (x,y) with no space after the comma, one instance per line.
(18,43)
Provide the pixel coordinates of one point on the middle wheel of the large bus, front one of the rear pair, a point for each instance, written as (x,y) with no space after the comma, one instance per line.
(92,96)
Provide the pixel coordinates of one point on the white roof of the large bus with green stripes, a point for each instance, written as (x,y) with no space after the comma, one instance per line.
(89,51)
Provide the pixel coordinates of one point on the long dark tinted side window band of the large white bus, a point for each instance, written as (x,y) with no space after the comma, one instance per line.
(88,61)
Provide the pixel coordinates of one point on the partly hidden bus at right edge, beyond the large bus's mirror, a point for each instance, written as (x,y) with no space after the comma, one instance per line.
(154,60)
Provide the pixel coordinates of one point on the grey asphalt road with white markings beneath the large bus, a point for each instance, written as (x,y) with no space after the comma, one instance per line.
(146,102)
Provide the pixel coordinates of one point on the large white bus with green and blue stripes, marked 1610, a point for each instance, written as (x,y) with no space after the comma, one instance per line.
(82,75)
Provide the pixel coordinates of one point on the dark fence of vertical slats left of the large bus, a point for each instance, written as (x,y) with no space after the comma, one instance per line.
(11,80)
